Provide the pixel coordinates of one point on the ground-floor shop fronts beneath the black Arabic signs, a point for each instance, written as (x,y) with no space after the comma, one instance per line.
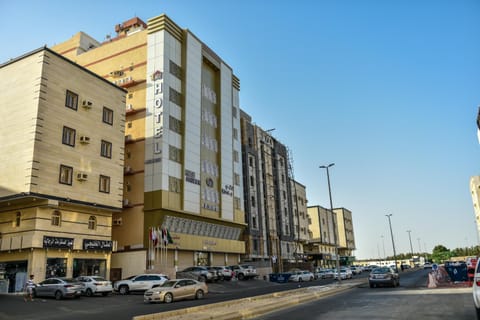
(15,267)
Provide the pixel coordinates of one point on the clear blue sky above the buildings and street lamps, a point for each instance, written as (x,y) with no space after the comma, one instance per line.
(387,90)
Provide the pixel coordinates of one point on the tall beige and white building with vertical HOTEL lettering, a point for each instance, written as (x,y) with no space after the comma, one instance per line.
(182,156)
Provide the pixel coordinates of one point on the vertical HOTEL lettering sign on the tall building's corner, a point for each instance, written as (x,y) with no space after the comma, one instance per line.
(157,78)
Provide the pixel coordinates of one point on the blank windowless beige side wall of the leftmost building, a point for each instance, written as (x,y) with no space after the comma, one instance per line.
(20,83)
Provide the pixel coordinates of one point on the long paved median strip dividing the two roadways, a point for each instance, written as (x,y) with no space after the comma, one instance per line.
(248,308)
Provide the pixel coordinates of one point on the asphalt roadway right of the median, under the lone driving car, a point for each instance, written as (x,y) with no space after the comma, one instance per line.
(412,300)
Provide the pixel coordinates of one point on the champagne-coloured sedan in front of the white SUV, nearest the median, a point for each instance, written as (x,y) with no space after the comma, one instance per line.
(178,289)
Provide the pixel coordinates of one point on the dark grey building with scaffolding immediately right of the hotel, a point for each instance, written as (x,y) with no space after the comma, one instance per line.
(271,238)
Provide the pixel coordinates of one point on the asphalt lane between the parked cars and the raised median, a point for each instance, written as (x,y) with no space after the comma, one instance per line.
(120,307)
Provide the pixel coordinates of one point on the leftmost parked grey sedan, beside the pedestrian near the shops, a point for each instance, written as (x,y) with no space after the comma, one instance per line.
(58,288)
